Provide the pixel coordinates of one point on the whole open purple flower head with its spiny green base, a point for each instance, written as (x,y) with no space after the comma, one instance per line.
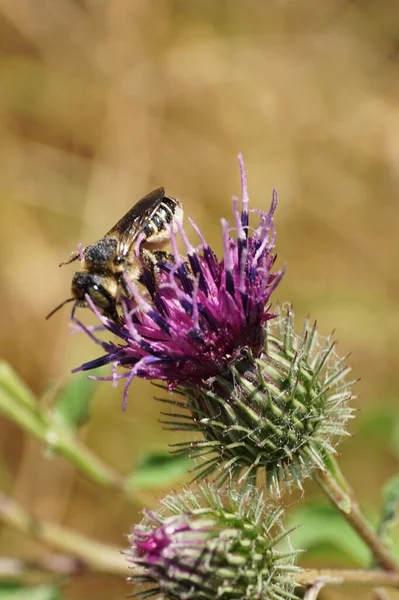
(261,397)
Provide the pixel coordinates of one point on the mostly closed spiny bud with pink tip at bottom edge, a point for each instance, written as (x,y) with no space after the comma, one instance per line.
(209,545)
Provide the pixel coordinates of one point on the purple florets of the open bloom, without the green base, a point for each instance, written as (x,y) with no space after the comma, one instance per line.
(195,321)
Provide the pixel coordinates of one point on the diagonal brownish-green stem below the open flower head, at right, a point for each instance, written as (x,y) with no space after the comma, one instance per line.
(343,498)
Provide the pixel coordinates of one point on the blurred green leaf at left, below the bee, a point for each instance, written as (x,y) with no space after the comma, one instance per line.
(72,406)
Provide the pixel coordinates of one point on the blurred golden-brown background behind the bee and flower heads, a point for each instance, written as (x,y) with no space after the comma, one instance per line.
(102,101)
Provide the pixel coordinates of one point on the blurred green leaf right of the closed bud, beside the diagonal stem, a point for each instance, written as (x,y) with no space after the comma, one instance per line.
(323,528)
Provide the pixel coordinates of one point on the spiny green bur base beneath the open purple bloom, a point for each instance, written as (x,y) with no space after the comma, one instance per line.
(282,411)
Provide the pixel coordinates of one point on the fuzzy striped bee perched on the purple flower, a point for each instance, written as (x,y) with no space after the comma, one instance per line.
(137,239)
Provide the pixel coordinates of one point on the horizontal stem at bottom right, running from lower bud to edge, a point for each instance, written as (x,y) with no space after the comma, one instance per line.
(347,577)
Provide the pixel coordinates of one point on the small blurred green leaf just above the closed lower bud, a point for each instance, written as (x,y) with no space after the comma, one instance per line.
(158,469)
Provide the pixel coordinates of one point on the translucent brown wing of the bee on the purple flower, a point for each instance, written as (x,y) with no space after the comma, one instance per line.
(129,227)
